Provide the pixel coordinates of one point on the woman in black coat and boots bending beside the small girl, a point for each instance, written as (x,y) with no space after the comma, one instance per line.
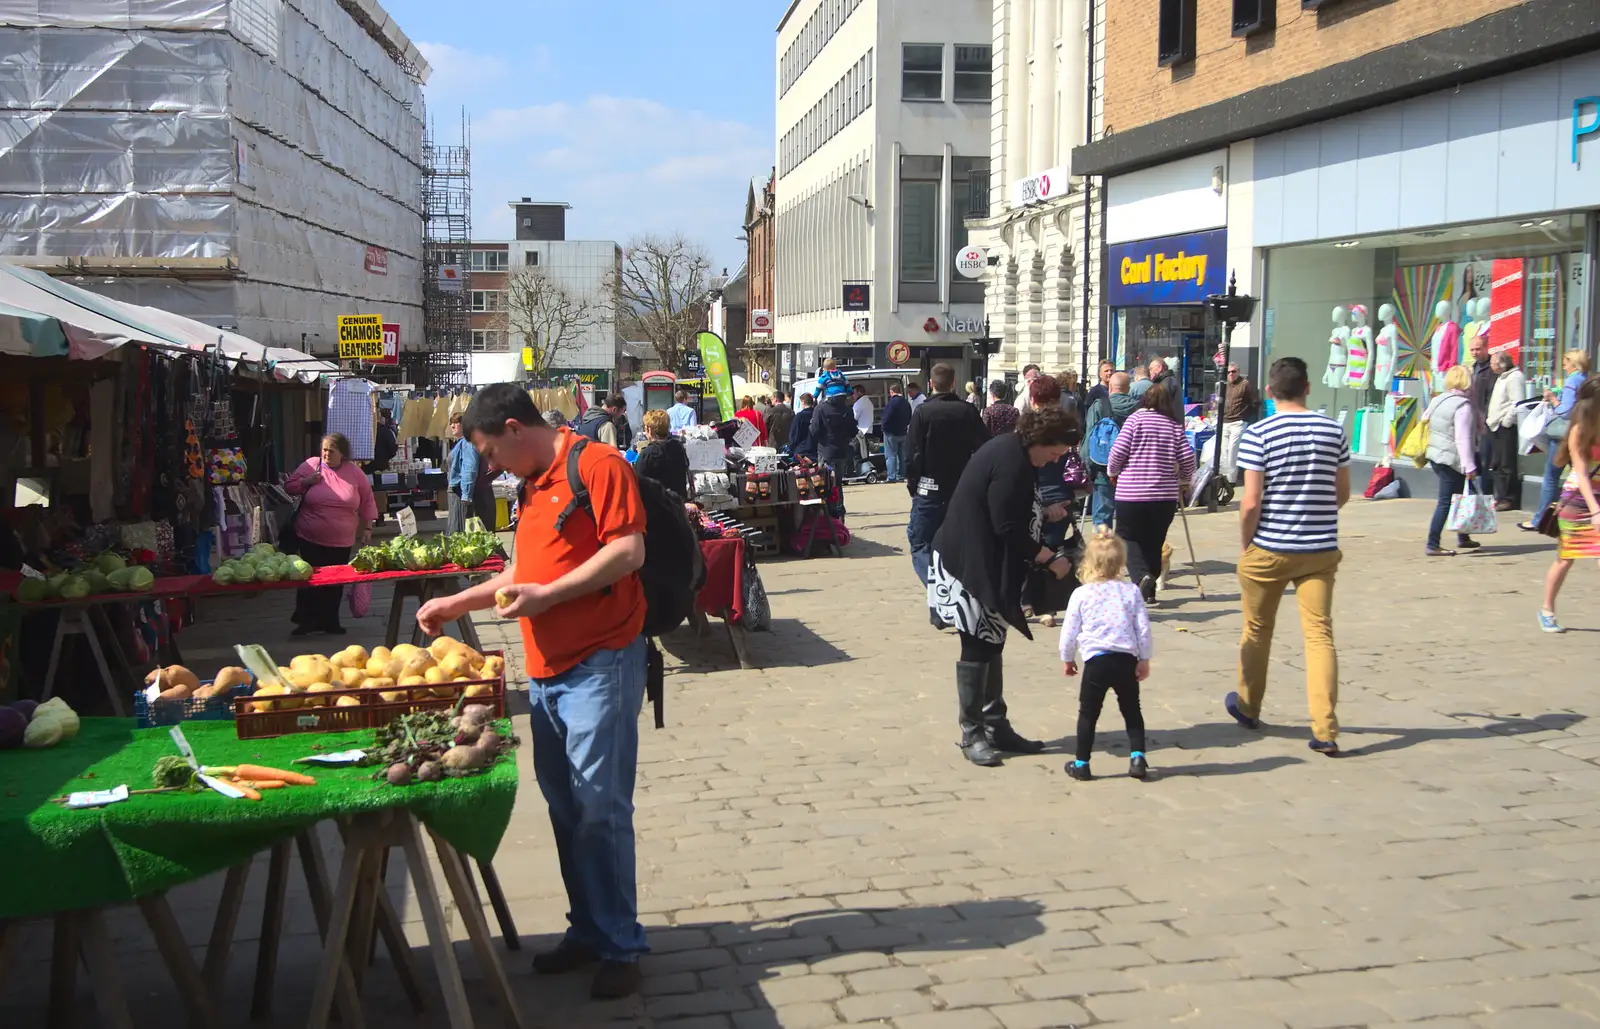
(982,556)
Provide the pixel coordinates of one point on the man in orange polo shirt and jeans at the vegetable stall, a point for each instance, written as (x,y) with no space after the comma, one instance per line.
(582,607)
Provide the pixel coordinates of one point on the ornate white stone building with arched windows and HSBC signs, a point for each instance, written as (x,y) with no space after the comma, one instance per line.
(1044,274)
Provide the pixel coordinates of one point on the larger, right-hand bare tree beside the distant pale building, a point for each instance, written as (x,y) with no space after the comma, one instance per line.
(663,294)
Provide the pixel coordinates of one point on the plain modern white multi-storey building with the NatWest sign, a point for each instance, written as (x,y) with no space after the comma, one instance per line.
(884,113)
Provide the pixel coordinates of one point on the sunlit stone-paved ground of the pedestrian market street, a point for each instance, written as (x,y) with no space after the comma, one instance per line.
(815,852)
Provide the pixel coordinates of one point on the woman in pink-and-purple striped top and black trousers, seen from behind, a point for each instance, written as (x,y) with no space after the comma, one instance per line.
(1151,466)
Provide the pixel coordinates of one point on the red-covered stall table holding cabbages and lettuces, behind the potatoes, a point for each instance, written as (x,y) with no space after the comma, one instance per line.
(86,615)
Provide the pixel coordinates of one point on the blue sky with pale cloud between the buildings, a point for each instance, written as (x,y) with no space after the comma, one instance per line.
(647,116)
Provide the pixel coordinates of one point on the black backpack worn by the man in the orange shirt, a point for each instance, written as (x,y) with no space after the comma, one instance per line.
(674,569)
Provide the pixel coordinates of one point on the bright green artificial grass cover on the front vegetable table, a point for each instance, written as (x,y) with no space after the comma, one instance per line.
(60,860)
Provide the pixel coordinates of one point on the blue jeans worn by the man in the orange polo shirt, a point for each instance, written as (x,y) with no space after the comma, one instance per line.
(585,756)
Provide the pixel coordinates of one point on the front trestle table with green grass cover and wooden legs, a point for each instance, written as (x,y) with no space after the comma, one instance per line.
(81,862)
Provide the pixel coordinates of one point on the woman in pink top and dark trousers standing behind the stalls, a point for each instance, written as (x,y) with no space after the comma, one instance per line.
(337,513)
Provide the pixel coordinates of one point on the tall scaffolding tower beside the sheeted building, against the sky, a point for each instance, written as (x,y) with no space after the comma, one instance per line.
(447,265)
